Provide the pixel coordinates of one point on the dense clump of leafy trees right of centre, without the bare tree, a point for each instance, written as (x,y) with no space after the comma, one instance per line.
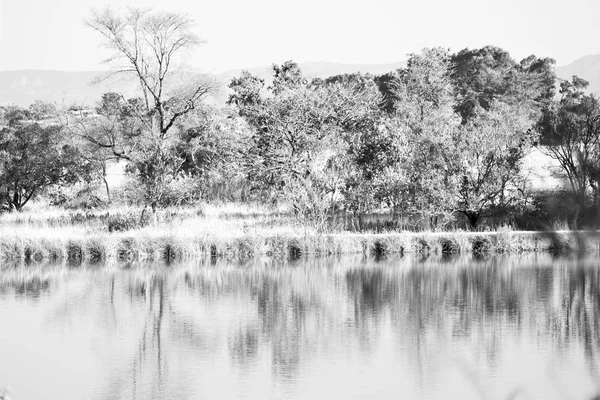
(424,141)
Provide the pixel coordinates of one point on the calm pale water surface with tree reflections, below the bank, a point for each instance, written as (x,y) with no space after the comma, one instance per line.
(501,328)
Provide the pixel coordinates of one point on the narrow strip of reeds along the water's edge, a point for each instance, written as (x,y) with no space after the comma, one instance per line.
(159,246)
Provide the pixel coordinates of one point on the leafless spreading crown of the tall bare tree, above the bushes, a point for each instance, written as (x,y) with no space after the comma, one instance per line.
(148,45)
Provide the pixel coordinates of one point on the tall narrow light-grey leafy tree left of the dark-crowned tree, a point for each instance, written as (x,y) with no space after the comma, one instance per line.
(423,122)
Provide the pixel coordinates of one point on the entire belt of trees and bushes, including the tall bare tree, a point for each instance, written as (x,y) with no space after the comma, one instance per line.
(441,141)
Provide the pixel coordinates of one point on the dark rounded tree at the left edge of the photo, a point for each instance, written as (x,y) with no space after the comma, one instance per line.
(33,157)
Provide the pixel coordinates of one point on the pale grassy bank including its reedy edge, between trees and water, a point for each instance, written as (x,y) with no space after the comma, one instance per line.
(240,232)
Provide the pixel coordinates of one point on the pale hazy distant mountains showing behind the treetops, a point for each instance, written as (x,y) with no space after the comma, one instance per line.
(63,87)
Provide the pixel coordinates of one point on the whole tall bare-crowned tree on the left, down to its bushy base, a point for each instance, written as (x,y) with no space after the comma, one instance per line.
(149,45)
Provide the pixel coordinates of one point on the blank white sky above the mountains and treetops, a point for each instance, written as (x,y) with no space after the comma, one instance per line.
(51,34)
